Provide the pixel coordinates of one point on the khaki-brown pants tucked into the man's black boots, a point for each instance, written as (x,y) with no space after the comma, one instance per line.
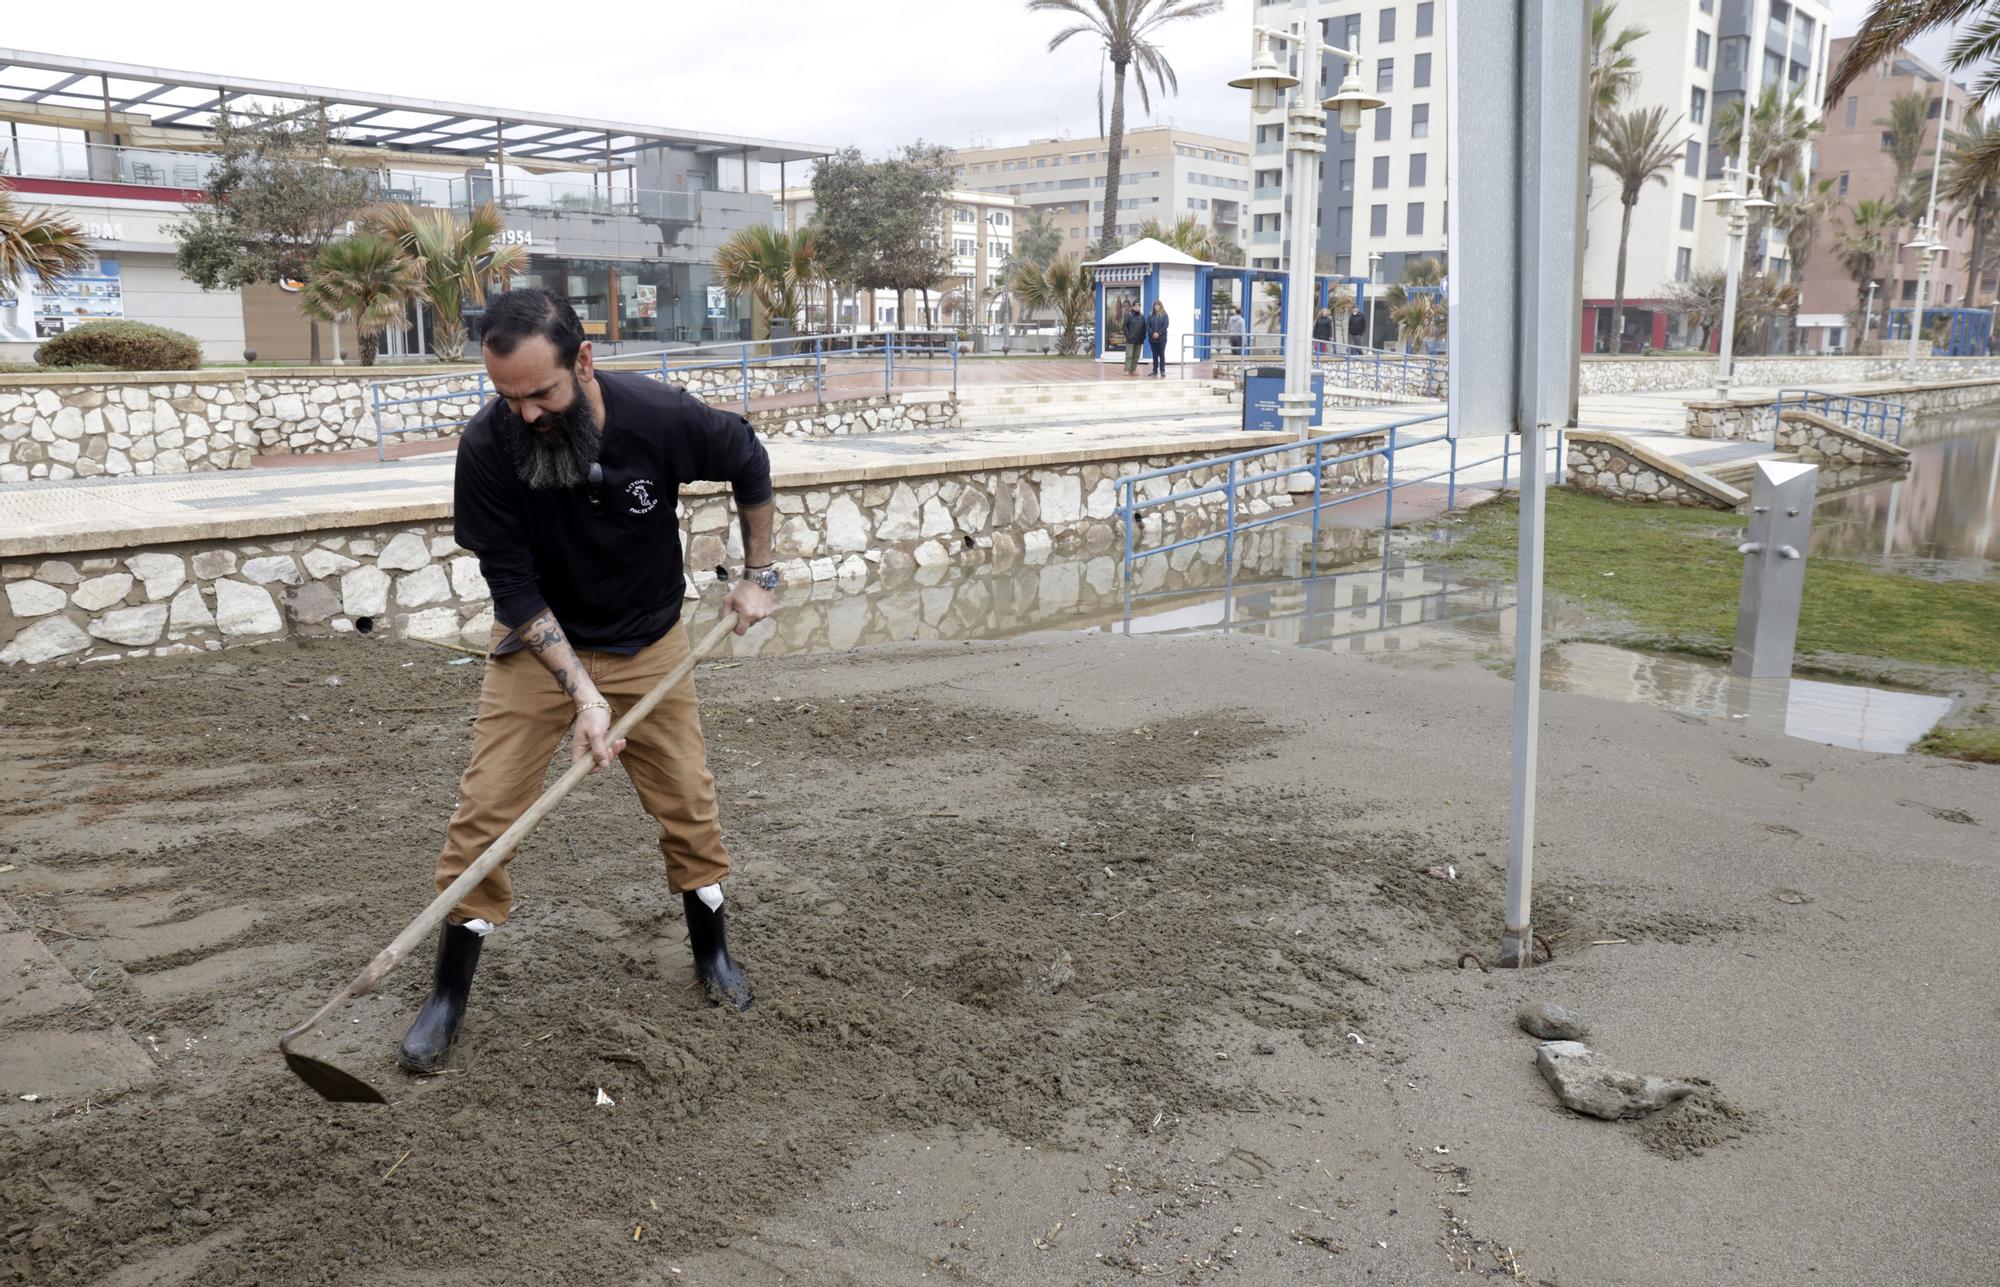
(523,716)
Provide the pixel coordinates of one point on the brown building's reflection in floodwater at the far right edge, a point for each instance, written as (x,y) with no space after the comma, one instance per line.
(1943,519)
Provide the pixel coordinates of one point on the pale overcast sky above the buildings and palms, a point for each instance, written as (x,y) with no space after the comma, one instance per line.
(873,73)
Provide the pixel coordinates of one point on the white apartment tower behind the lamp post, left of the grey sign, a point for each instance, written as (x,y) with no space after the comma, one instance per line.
(1381,189)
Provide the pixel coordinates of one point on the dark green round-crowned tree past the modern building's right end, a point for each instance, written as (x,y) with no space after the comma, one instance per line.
(879,225)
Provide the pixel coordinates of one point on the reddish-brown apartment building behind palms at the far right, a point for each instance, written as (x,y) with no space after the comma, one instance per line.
(1853,151)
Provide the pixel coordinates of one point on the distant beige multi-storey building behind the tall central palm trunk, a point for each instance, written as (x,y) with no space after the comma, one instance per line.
(1165,175)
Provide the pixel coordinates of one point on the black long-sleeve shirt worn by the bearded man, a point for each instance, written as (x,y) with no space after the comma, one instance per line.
(611,571)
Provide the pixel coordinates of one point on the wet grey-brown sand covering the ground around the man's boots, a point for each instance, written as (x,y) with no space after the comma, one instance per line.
(1265,1064)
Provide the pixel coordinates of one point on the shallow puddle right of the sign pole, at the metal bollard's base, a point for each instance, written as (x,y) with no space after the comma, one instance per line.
(1837,714)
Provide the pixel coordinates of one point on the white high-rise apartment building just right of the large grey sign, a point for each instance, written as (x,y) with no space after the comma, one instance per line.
(1697,59)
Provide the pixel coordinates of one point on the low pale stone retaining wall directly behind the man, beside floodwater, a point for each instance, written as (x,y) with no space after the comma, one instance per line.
(411,581)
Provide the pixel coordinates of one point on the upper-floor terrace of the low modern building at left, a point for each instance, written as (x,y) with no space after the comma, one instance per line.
(189,171)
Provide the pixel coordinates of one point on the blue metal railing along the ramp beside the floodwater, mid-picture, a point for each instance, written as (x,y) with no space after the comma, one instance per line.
(1317,461)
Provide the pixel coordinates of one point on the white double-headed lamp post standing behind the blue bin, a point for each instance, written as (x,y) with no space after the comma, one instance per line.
(1305,145)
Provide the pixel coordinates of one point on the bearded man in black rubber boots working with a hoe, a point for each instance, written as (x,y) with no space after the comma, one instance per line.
(567,493)
